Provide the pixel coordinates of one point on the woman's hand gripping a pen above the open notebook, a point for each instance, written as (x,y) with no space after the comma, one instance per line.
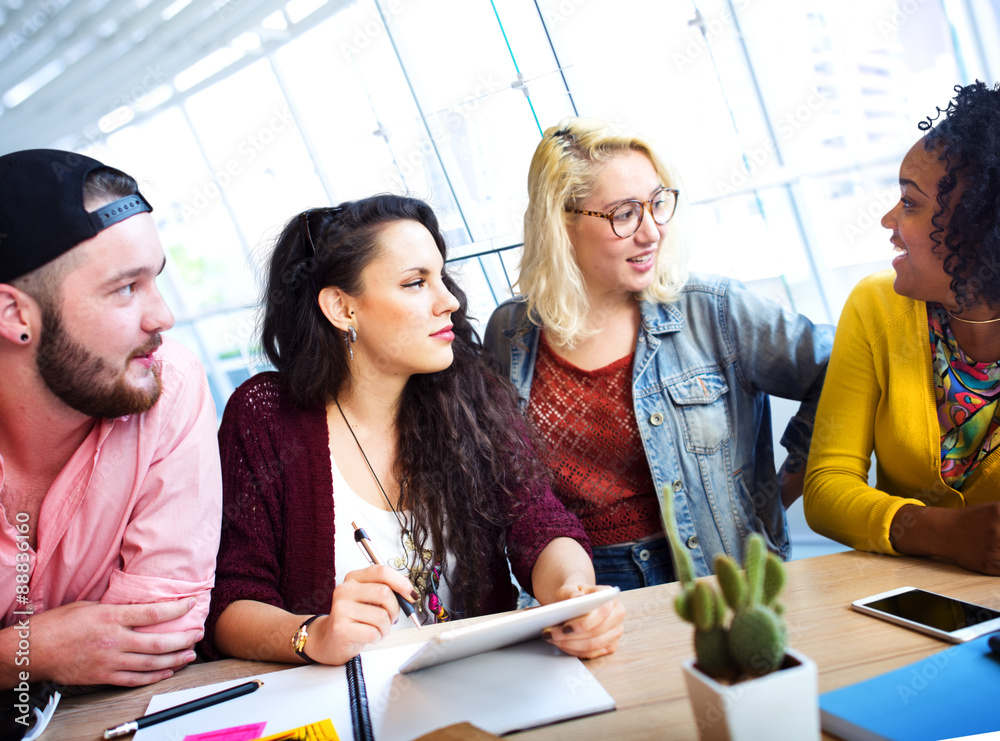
(363,610)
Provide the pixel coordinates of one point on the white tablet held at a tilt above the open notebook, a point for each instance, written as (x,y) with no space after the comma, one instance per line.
(505,630)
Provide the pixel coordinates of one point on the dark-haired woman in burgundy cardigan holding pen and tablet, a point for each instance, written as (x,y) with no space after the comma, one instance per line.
(383,412)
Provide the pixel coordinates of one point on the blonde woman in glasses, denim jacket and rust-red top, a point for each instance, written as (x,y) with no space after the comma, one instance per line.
(642,381)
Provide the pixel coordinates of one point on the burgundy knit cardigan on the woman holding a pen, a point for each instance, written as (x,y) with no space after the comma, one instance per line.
(277,530)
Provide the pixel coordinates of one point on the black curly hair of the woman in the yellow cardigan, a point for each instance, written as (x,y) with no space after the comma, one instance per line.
(967,141)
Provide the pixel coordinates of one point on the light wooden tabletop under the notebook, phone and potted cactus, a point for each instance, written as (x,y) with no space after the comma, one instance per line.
(644,675)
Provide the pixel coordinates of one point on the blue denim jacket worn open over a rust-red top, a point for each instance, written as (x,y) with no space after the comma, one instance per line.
(702,372)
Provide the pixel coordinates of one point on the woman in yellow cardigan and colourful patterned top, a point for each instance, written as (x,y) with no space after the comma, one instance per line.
(915,370)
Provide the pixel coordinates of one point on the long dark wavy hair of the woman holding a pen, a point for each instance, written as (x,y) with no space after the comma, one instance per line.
(463,447)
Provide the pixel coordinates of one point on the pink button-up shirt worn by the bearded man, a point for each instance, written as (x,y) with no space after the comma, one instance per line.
(134,516)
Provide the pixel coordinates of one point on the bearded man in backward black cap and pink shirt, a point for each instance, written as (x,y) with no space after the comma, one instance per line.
(110,482)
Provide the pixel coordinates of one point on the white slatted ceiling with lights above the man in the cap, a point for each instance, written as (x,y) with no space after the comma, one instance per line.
(83,59)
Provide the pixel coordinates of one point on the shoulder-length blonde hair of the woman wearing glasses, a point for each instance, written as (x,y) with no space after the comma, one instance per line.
(562,173)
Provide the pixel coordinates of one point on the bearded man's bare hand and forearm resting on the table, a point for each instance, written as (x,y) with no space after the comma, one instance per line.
(85,643)
